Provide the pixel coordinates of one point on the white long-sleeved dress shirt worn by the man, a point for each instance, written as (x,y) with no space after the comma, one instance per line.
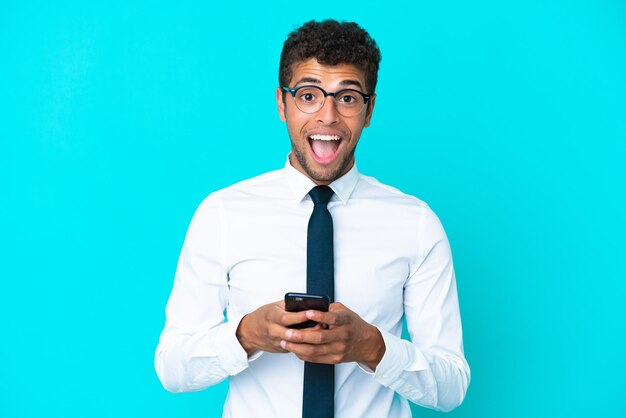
(246,247)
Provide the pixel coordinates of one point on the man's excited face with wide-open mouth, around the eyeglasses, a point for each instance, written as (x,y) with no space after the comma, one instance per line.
(323,143)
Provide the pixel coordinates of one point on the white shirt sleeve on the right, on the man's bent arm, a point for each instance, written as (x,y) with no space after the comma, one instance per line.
(430,370)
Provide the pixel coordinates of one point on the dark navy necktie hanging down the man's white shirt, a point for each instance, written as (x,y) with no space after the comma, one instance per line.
(319,379)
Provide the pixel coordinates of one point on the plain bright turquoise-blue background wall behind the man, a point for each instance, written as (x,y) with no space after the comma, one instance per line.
(117,118)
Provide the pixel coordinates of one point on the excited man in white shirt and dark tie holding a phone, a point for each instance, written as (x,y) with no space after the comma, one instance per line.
(248,245)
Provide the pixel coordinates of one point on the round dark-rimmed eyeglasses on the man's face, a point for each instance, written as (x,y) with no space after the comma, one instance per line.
(310,99)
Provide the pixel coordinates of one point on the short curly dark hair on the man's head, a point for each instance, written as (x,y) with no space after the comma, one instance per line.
(331,43)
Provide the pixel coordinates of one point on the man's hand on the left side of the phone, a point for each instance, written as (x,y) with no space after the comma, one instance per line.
(264,328)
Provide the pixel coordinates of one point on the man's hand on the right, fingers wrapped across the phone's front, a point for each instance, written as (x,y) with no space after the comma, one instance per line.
(348,338)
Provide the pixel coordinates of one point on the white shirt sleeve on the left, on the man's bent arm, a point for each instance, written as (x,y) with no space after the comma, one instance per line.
(198,346)
